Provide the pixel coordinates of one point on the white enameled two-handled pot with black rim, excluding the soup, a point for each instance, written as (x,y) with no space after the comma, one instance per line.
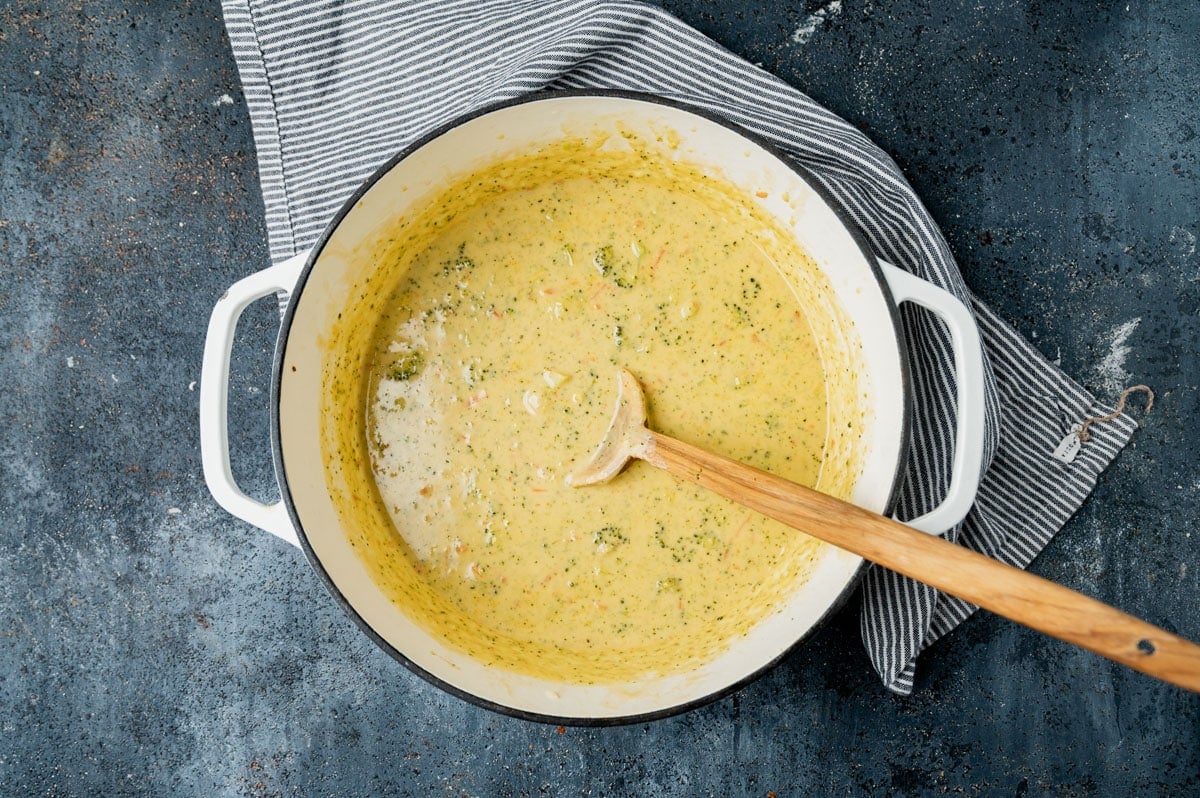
(867,291)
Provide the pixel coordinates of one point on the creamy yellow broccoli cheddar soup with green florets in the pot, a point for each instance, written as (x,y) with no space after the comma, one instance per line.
(501,315)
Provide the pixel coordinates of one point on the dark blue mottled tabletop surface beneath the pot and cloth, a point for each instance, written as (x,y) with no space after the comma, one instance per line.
(149,644)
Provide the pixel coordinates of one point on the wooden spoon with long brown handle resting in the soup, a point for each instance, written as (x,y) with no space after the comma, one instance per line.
(1007,591)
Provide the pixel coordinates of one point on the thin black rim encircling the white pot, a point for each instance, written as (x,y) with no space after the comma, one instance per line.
(349,207)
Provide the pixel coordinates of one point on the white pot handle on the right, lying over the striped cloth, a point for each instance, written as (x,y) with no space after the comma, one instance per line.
(968,465)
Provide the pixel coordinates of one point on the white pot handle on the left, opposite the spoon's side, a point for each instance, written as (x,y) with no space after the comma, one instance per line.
(215,394)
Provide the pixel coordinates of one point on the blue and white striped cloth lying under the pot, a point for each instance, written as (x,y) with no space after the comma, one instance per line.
(338,87)
